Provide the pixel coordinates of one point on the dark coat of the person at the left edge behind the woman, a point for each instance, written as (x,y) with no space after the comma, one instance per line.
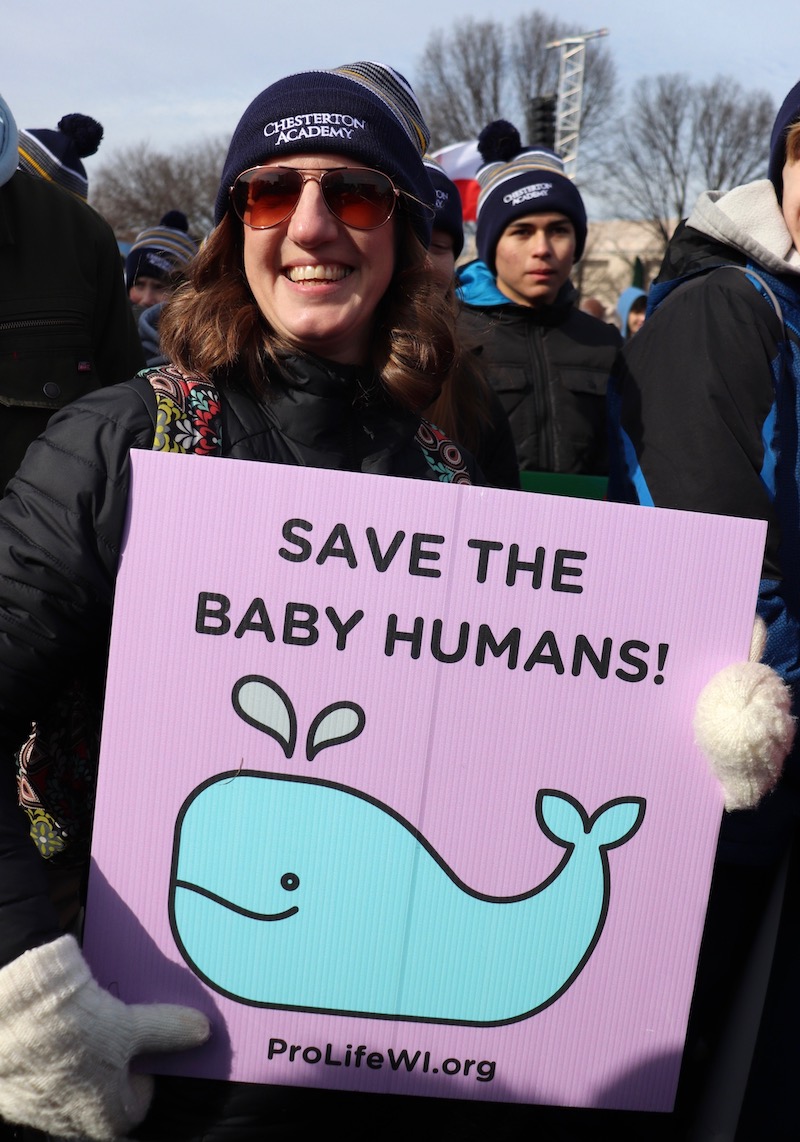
(67,325)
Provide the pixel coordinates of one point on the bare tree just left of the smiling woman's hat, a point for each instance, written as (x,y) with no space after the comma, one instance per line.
(138,187)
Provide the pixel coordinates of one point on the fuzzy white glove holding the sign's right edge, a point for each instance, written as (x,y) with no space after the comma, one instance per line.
(745,726)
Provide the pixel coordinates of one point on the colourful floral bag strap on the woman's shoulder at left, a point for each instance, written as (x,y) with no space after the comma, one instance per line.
(189,417)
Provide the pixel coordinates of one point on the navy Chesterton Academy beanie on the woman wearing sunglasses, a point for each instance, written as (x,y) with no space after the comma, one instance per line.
(365,111)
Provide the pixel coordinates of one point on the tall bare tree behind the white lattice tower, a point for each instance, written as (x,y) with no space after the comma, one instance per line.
(482,70)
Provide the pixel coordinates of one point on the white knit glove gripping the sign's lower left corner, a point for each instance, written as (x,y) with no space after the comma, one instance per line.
(66,1046)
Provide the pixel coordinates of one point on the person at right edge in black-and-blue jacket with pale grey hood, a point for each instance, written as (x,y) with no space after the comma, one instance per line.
(709,421)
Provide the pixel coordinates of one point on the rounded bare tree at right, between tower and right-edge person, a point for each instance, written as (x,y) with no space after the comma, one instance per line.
(680,139)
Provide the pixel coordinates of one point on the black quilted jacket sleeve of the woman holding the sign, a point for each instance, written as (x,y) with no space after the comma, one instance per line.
(61,529)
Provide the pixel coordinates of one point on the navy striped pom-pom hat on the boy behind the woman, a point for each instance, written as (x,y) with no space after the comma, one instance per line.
(518,181)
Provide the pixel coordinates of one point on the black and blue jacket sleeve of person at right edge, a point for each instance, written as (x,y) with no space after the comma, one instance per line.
(696,425)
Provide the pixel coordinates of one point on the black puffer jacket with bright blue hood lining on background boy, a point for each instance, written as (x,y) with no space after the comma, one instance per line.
(551,369)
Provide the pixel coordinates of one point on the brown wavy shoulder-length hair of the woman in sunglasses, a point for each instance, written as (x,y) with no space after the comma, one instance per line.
(212,326)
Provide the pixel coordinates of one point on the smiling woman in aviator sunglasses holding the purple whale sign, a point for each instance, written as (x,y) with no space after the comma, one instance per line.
(310,333)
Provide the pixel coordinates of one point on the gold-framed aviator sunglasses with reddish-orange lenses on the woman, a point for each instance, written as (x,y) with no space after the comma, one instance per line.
(360,198)
